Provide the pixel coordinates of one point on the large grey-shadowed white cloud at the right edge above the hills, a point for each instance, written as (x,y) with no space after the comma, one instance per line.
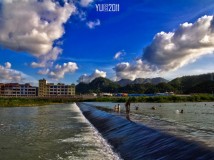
(170,51)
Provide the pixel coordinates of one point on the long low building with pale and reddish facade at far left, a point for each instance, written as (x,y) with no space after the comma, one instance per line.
(18,90)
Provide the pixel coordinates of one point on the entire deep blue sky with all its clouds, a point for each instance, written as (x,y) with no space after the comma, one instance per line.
(85,41)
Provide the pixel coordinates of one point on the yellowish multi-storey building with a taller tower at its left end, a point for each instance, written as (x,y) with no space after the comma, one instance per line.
(51,89)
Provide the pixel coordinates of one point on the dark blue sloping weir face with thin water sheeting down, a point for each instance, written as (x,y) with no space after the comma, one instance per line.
(134,141)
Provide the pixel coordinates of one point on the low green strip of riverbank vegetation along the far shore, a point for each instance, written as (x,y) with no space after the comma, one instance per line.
(19,101)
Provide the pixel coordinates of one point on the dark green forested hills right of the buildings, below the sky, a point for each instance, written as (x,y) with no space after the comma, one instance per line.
(183,85)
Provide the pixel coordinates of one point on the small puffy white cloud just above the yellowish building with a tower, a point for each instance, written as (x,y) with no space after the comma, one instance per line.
(60,70)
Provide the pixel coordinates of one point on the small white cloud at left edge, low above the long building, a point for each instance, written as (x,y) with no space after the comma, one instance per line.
(10,75)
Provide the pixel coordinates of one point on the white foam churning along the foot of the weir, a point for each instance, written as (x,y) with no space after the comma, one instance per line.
(90,137)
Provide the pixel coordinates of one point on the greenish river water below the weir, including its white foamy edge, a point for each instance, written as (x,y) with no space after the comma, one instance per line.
(50,132)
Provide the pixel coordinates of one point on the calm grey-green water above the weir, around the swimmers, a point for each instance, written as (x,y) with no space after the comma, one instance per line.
(196,123)
